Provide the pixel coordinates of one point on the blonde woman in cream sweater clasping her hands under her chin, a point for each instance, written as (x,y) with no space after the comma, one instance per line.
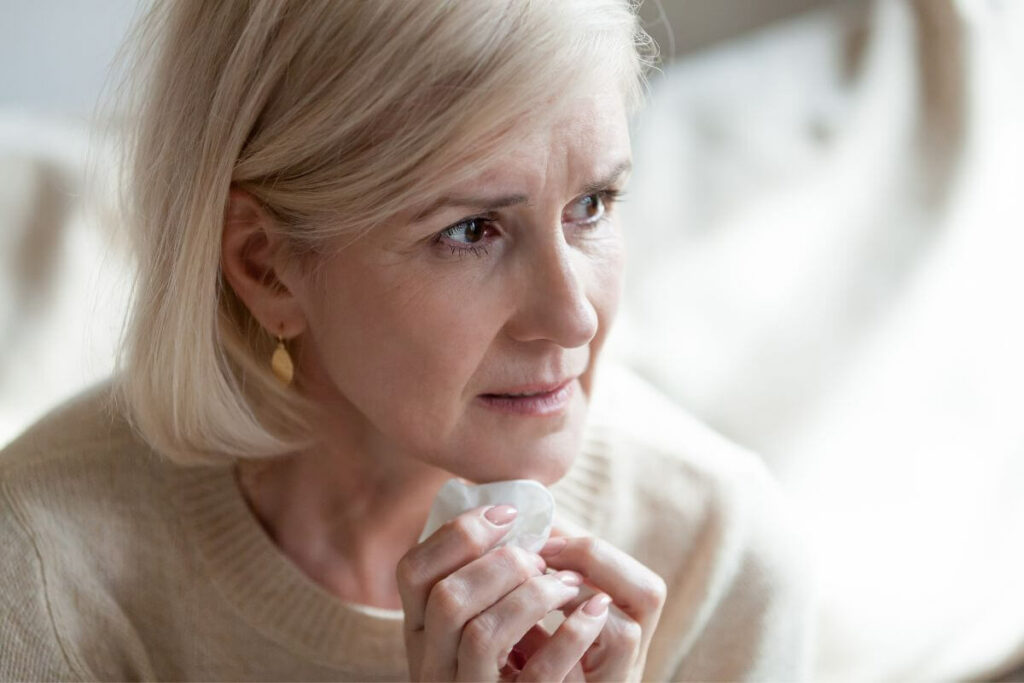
(378,249)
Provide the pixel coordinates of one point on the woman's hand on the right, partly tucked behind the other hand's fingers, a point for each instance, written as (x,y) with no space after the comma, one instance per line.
(637,597)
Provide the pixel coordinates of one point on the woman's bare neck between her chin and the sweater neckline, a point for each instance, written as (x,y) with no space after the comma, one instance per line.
(346,519)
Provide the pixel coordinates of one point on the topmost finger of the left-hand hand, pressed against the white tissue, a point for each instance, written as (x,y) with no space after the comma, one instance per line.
(458,542)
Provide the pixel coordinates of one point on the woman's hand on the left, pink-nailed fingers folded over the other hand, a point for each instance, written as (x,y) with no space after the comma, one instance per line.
(467,606)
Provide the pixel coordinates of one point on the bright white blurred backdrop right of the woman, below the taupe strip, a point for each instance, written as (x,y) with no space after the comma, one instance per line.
(826,223)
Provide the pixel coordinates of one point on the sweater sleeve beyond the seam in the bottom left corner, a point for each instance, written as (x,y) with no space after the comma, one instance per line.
(30,649)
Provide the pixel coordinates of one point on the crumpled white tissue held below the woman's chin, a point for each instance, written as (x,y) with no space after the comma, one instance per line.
(535,503)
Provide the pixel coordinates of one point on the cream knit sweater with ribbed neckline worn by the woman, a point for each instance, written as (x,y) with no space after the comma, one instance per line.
(118,565)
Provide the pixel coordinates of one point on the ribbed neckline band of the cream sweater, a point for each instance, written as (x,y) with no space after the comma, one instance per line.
(274,595)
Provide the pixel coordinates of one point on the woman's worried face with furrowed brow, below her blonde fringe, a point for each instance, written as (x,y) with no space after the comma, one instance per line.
(419,334)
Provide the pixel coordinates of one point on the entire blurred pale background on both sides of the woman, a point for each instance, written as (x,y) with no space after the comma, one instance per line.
(826,229)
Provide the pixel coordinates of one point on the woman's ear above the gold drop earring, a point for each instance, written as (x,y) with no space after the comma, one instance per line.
(250,260)
